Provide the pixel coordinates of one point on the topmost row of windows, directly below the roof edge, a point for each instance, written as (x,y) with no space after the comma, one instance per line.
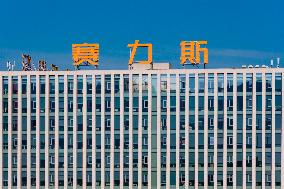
(144,82)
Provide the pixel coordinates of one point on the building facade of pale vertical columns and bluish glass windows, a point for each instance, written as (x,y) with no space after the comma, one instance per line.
(175,128)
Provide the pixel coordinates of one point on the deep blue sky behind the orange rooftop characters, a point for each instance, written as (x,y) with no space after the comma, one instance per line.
(238,32)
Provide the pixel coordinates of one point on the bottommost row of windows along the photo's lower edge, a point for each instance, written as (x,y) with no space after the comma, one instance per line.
(220,181)
